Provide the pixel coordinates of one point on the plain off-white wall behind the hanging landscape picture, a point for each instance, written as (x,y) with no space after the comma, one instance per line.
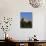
(12,8)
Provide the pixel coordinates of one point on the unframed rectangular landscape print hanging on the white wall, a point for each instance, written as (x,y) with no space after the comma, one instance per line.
(26,20)
